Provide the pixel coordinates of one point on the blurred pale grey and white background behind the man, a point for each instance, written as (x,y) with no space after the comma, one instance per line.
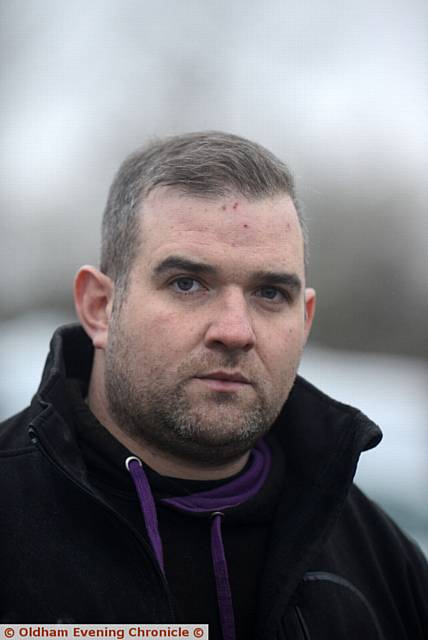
(336,89)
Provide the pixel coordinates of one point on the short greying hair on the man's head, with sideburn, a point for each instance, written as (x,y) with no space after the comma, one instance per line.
(209,165)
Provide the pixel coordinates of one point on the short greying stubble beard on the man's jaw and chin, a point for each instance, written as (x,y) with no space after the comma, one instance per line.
(215,428)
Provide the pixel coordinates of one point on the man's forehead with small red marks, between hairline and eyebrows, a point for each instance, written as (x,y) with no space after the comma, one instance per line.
(231,229)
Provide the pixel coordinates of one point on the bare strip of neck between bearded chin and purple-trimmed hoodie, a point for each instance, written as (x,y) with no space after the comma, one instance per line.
(163,463)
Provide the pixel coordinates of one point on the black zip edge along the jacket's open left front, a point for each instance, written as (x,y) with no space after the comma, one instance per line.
(38,441)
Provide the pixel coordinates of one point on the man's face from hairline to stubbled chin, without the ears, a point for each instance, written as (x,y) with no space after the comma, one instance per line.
(204,349)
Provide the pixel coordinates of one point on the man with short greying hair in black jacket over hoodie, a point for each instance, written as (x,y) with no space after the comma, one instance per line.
(172,467)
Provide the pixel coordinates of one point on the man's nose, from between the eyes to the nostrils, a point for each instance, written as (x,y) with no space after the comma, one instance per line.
(230,325)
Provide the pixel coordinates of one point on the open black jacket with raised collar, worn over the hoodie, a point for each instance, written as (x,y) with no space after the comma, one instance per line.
(338,567)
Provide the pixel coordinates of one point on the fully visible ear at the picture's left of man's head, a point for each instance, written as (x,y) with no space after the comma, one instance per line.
(93,298)
